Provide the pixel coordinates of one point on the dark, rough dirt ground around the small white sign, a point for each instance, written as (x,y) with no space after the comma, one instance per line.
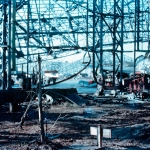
(68,126)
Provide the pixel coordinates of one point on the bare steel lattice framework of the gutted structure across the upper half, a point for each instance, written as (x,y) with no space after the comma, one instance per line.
(56,29)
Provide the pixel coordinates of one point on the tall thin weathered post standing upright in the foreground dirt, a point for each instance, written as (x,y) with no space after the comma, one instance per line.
(40,101)
